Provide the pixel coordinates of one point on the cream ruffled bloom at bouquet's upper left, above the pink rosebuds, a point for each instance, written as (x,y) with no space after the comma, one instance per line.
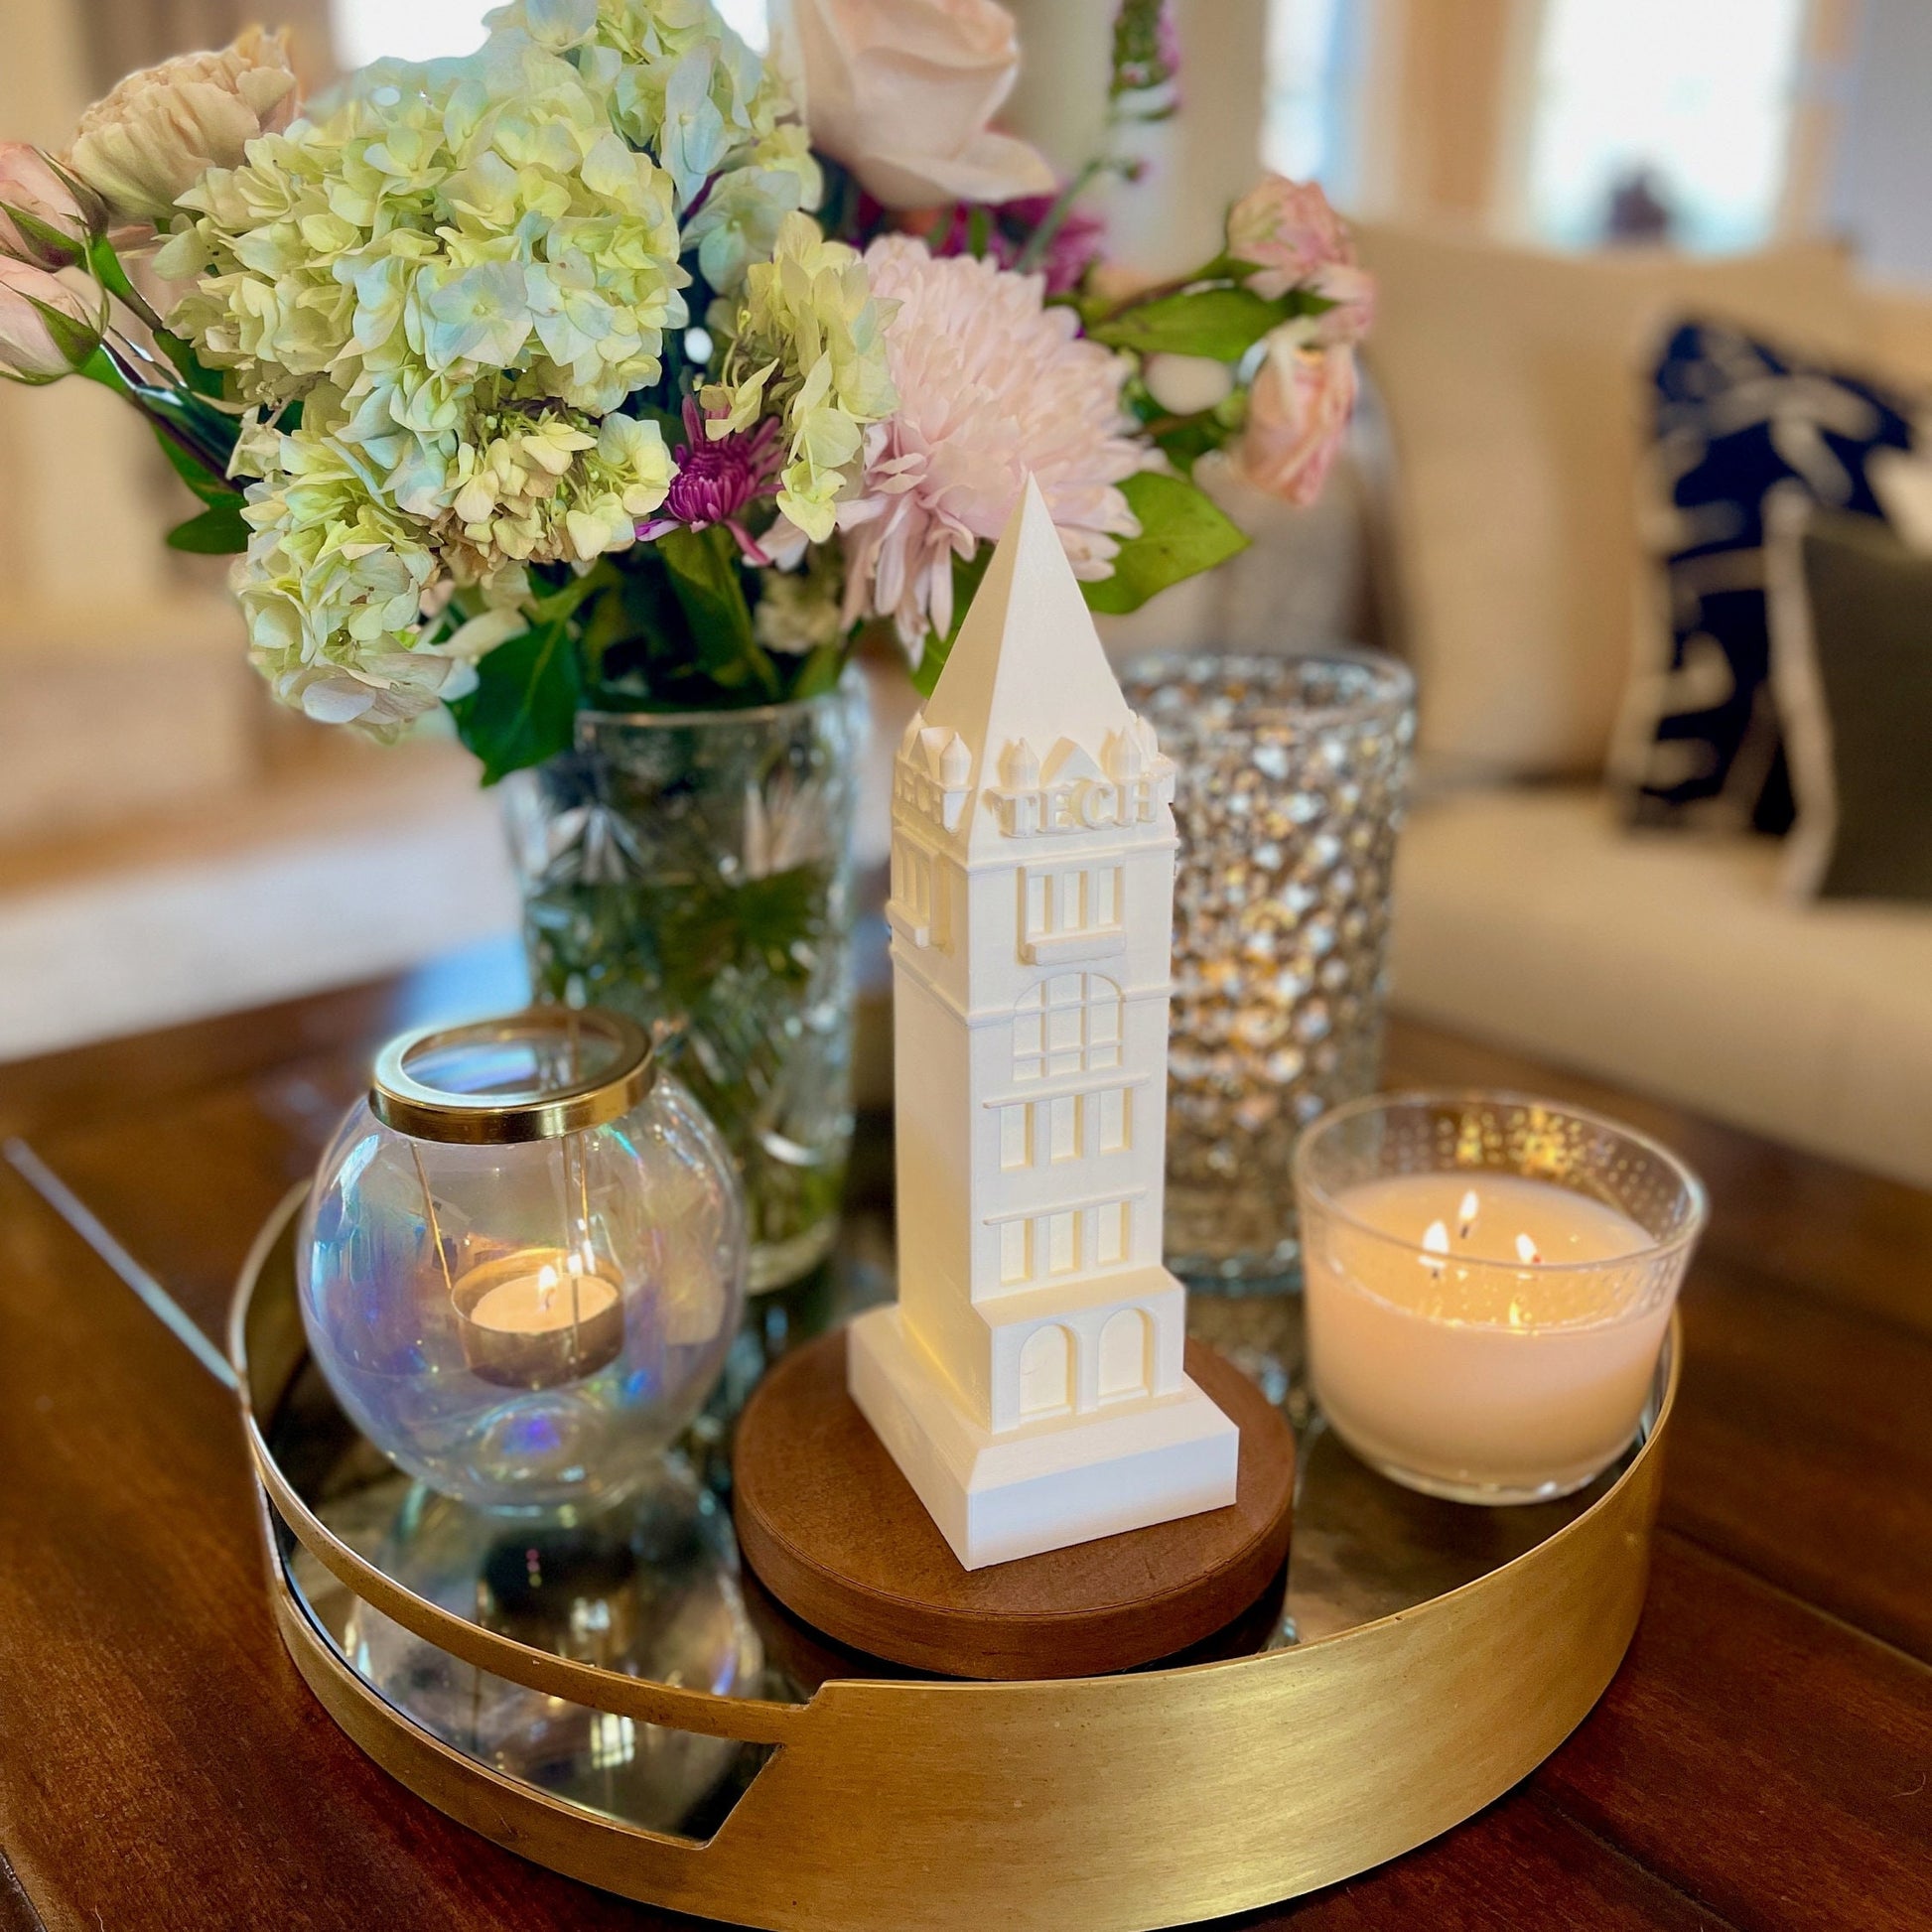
(163,128)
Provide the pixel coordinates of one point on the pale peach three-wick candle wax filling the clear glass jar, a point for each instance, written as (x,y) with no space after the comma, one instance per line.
(1498,1346)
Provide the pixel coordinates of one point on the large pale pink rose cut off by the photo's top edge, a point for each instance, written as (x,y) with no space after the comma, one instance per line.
(903,94)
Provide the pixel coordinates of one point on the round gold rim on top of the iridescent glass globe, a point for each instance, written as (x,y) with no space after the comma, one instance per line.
(426,1112)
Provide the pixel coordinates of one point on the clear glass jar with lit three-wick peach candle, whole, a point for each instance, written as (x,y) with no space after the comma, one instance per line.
(1489,1284)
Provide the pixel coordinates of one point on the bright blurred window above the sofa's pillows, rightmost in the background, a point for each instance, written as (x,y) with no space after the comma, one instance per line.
(1662,121)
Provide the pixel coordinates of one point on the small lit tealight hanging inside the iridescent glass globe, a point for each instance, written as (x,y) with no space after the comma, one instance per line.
(534,1328)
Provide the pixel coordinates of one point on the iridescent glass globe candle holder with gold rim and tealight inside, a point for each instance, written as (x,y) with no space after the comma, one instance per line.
(523,1261)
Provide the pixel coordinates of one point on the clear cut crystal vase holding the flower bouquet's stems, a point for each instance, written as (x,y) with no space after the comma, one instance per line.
(695,870)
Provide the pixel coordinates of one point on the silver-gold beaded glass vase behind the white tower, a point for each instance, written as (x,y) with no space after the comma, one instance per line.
(1292,783)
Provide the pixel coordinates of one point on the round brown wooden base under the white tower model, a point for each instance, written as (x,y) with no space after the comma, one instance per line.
(838,1535)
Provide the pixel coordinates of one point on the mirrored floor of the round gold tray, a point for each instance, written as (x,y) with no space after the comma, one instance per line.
(656,1589)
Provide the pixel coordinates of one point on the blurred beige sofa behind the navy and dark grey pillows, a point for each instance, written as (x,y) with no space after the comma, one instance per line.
(1525,913)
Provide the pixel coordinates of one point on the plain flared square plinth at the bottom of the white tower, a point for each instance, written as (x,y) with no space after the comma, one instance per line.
(1044,1487)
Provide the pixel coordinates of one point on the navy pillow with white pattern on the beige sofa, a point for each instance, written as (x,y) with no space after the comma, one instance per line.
(1736,424)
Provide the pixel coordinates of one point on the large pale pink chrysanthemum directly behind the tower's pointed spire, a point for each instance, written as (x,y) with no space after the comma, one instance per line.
(992,385)
